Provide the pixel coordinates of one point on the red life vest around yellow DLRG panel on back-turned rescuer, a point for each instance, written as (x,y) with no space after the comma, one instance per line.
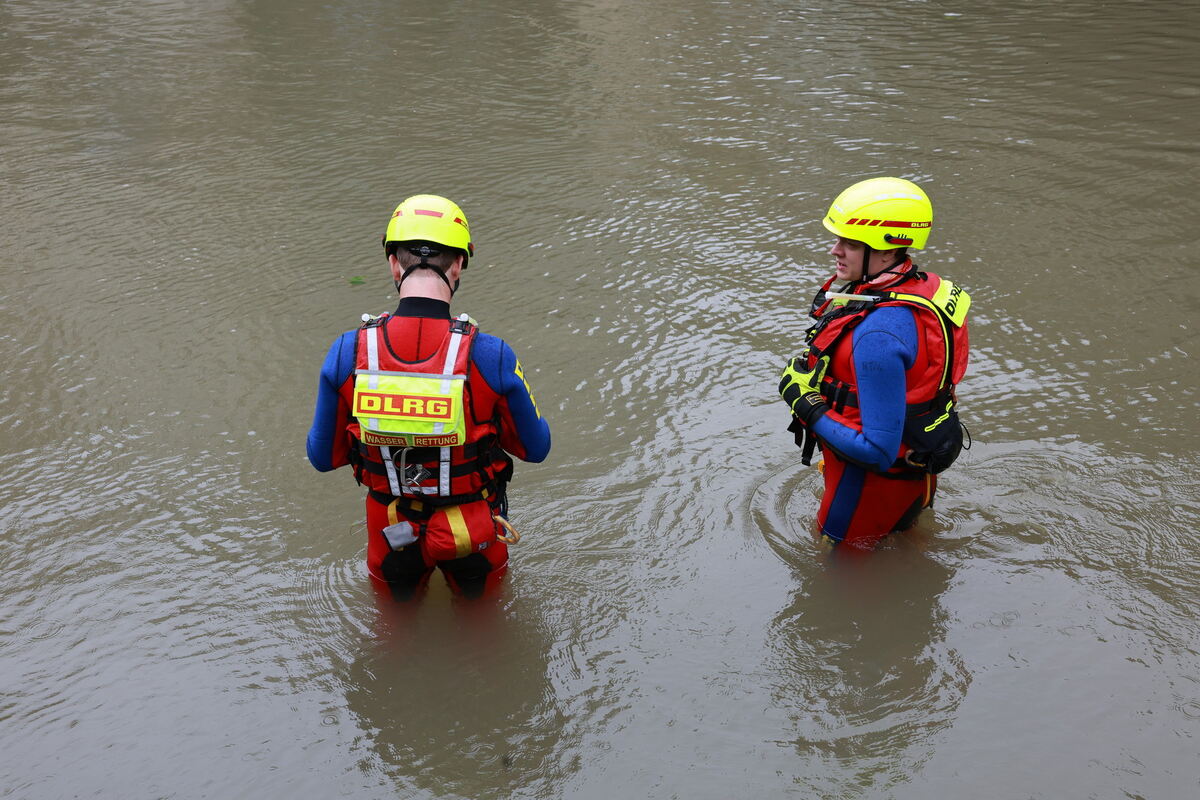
(435,476)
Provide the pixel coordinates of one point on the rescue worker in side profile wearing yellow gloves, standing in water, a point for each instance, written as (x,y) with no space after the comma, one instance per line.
(874,387)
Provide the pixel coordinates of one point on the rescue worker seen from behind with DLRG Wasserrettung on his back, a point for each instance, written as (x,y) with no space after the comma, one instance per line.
(428,411)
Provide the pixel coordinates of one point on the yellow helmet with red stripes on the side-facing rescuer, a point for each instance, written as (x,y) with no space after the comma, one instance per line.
(885,213)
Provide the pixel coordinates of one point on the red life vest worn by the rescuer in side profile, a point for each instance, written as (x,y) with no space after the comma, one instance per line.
(941,362)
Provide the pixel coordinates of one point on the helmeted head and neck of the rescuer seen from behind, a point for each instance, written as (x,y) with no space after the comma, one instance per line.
(428,243)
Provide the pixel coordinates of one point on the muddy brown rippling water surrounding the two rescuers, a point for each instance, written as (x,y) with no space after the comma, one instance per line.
(189,196)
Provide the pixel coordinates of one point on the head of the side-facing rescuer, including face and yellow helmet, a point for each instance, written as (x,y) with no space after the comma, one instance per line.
(877,221)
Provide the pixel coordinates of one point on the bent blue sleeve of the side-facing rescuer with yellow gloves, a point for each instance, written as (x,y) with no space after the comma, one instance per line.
(885,347)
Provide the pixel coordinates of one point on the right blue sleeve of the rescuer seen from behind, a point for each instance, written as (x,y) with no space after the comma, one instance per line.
(524,431)
